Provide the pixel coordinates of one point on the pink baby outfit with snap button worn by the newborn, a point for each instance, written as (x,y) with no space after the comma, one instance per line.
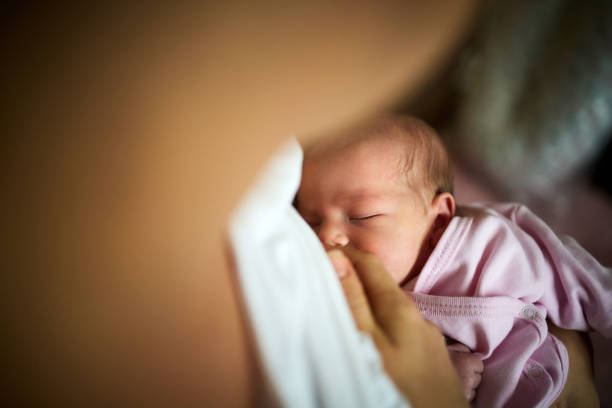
(495,276)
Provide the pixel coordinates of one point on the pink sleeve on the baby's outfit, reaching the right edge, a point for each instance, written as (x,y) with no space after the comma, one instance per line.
(579,294)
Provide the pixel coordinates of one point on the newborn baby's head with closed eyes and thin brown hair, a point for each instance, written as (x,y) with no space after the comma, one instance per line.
(385,188)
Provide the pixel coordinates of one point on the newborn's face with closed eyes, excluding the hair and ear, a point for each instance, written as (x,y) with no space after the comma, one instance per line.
(357,198)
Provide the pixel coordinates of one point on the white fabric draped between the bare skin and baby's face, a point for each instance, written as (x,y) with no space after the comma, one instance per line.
(311,351)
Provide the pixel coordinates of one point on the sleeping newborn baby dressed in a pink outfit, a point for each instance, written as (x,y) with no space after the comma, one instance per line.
(487,276)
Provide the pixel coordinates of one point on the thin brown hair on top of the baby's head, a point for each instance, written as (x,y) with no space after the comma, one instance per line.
(424,163)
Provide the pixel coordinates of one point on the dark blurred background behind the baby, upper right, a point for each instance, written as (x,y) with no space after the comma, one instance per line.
(525,106)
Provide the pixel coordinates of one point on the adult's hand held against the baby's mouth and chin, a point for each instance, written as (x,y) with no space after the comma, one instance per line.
(384,312)
